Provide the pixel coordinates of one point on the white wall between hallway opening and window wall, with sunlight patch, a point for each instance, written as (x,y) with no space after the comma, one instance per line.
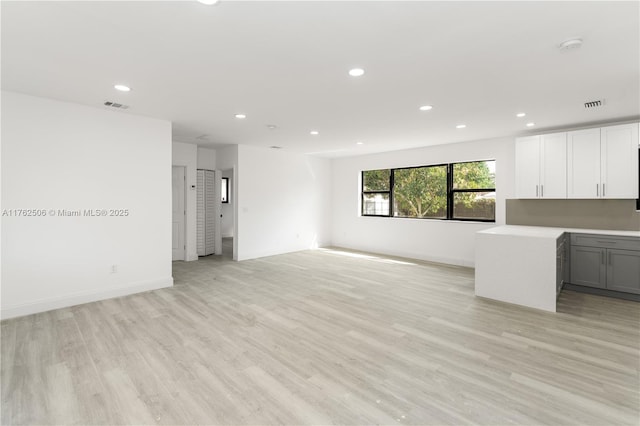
(284,202)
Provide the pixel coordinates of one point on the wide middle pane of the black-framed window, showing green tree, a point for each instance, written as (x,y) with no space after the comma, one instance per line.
(420,192)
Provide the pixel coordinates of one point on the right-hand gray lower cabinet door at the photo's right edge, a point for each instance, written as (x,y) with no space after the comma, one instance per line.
(623,270)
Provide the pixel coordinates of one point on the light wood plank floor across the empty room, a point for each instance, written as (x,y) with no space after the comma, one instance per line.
(323,337)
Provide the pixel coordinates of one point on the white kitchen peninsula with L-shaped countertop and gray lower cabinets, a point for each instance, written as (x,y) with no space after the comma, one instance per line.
(527,265)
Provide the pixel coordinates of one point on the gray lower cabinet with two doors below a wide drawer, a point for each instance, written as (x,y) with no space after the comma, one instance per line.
(606,262)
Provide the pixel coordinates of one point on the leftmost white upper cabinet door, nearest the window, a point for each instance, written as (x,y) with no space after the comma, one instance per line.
(528,167)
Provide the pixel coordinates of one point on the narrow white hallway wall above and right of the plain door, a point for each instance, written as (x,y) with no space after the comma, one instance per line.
(186,155)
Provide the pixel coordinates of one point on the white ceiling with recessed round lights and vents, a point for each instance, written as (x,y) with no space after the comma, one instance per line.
(286,63)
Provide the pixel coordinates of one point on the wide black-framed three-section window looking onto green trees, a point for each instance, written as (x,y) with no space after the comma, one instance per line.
(456,191)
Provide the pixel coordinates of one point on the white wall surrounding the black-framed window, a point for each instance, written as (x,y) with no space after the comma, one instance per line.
(434,240)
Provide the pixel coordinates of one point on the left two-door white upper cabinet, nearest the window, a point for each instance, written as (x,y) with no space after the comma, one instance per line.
(541,166)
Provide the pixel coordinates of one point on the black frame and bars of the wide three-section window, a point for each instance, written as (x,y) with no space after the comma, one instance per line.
(450,193)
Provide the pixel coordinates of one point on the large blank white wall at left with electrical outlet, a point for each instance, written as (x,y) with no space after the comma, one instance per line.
(58,155)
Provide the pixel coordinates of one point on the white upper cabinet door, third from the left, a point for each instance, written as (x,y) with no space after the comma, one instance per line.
(583,165)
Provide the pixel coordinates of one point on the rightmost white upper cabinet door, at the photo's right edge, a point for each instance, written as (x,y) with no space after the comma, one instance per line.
(619,152)
